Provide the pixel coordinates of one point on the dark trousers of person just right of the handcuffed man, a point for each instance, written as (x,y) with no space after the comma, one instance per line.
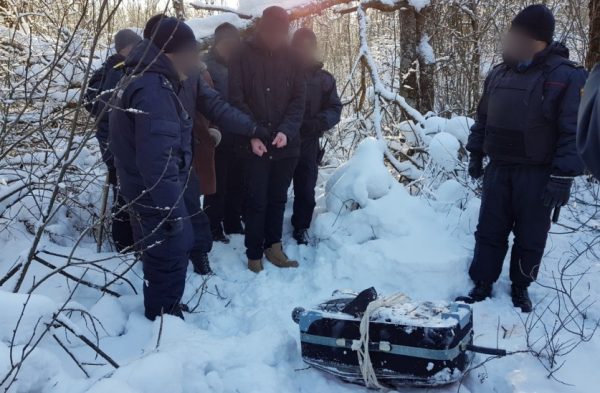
(305,181)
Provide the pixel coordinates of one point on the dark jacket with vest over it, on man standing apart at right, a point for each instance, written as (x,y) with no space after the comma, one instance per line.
(528,116)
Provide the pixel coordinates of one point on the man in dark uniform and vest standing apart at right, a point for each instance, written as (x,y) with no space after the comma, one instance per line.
(526,126)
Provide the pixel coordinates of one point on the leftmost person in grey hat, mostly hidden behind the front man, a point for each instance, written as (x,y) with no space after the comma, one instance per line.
(99,91)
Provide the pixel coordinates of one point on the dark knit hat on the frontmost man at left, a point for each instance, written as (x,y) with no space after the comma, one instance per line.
(173,35)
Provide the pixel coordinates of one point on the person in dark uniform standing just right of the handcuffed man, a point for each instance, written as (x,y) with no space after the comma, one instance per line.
(322,113)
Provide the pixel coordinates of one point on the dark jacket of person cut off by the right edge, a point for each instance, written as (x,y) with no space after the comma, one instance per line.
(588,134)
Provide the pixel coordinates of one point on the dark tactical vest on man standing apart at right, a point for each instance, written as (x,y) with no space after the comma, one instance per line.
(521,125)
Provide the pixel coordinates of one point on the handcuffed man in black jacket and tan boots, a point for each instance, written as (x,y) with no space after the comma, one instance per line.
(267,82)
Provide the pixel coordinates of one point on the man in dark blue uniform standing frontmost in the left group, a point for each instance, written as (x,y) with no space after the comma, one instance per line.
(150,137)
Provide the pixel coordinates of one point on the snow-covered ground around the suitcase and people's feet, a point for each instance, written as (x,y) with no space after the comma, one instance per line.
(240,336)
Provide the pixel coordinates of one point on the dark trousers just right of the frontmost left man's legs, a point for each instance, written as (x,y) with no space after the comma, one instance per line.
(199,220)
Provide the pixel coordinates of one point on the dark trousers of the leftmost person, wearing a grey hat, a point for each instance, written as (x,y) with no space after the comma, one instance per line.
(121,231)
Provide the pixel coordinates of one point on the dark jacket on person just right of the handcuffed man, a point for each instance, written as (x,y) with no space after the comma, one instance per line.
(323,106)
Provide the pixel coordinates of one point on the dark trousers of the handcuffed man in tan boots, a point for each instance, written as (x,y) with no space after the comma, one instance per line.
(267,183)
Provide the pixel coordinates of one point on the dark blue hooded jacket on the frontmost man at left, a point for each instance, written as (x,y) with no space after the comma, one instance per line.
(150,136)
